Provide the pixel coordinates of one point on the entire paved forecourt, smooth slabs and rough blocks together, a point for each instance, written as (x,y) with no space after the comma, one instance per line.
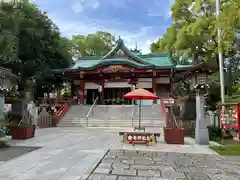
(99,154)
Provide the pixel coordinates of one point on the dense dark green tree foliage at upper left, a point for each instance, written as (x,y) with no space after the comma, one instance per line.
(30,43)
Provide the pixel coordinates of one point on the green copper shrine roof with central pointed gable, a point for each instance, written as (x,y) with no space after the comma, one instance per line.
(119,55)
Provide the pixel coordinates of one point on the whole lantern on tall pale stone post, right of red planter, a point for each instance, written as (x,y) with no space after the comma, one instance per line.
(200,86)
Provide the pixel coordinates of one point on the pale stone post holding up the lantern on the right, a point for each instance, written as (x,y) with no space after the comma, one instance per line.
(201,131)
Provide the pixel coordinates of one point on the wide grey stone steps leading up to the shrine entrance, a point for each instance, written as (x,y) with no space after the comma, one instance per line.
(113,116)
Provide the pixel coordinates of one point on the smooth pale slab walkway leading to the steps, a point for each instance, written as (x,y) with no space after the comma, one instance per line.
(66,154)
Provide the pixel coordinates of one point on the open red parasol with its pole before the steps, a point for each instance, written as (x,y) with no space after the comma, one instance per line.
(140,94)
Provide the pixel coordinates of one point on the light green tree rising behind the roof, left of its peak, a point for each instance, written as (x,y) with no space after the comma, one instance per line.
(96,44)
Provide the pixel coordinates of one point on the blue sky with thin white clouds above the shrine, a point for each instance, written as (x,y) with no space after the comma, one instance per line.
(137,22)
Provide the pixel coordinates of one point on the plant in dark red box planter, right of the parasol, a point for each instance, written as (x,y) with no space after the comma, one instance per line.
(173,134)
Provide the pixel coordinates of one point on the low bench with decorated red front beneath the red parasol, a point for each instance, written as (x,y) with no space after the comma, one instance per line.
(139,137)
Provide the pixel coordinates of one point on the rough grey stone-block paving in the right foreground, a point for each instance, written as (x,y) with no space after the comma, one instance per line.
(150,165)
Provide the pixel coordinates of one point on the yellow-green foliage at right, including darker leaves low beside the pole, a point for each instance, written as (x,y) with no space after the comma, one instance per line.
(194,35)
